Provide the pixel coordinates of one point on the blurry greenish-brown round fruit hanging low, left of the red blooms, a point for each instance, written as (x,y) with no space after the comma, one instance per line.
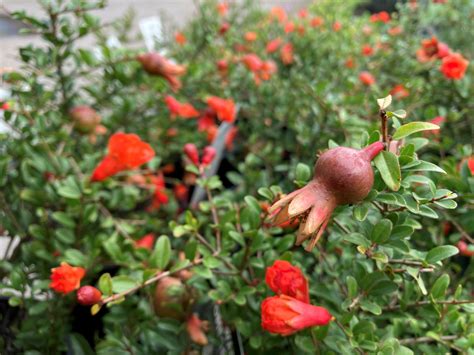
(172,298)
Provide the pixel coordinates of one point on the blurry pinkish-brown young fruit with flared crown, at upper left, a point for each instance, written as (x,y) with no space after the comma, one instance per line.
(155,64)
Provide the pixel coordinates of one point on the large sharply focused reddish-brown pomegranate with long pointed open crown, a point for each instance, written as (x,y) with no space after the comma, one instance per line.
(341,176)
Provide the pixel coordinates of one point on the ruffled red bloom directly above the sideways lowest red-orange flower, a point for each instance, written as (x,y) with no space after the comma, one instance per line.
(284,278)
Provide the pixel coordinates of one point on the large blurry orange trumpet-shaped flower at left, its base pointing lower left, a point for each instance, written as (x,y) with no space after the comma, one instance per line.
(126,151)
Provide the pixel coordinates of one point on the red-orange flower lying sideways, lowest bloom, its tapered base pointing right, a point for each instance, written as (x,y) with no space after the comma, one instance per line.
(286,315)
